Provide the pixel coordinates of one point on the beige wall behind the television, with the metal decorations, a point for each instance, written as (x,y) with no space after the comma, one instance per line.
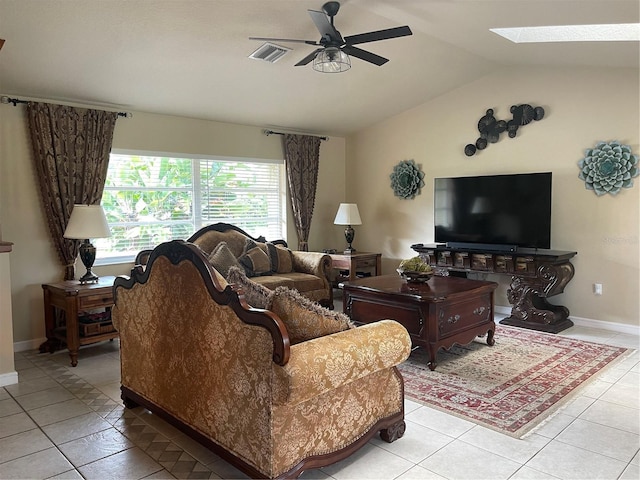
(583,106)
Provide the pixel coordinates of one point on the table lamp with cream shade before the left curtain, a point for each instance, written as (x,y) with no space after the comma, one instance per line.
(86,222)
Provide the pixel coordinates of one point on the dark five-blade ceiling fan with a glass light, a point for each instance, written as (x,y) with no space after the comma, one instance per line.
(333,47)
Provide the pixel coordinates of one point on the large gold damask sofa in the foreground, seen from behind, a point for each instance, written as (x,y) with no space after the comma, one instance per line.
(195,353)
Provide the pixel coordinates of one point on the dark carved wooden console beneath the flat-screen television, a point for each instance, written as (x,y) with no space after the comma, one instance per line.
(536,274)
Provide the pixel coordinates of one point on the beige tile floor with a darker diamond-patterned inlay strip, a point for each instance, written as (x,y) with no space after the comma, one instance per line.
(63,422)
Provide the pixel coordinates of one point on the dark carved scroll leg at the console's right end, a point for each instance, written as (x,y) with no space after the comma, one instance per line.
(528,295)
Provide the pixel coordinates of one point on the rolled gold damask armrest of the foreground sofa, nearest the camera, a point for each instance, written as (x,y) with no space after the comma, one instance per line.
(325,363)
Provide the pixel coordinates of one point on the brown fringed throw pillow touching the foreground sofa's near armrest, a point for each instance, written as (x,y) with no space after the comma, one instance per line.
(305,319)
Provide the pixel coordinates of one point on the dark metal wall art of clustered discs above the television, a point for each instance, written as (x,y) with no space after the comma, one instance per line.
(490,127)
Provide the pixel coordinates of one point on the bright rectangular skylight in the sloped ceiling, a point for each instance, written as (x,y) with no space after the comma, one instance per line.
(623,32)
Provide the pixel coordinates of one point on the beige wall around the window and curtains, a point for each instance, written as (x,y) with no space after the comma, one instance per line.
(34,261)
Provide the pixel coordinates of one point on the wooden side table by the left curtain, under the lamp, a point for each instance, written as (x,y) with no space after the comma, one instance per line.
(75,299)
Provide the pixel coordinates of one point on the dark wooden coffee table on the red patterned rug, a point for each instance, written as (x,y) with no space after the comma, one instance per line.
(437,314)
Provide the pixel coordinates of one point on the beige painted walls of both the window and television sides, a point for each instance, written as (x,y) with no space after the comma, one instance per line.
(582,107)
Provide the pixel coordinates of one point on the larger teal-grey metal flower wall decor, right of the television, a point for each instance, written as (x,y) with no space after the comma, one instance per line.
(608,168)
